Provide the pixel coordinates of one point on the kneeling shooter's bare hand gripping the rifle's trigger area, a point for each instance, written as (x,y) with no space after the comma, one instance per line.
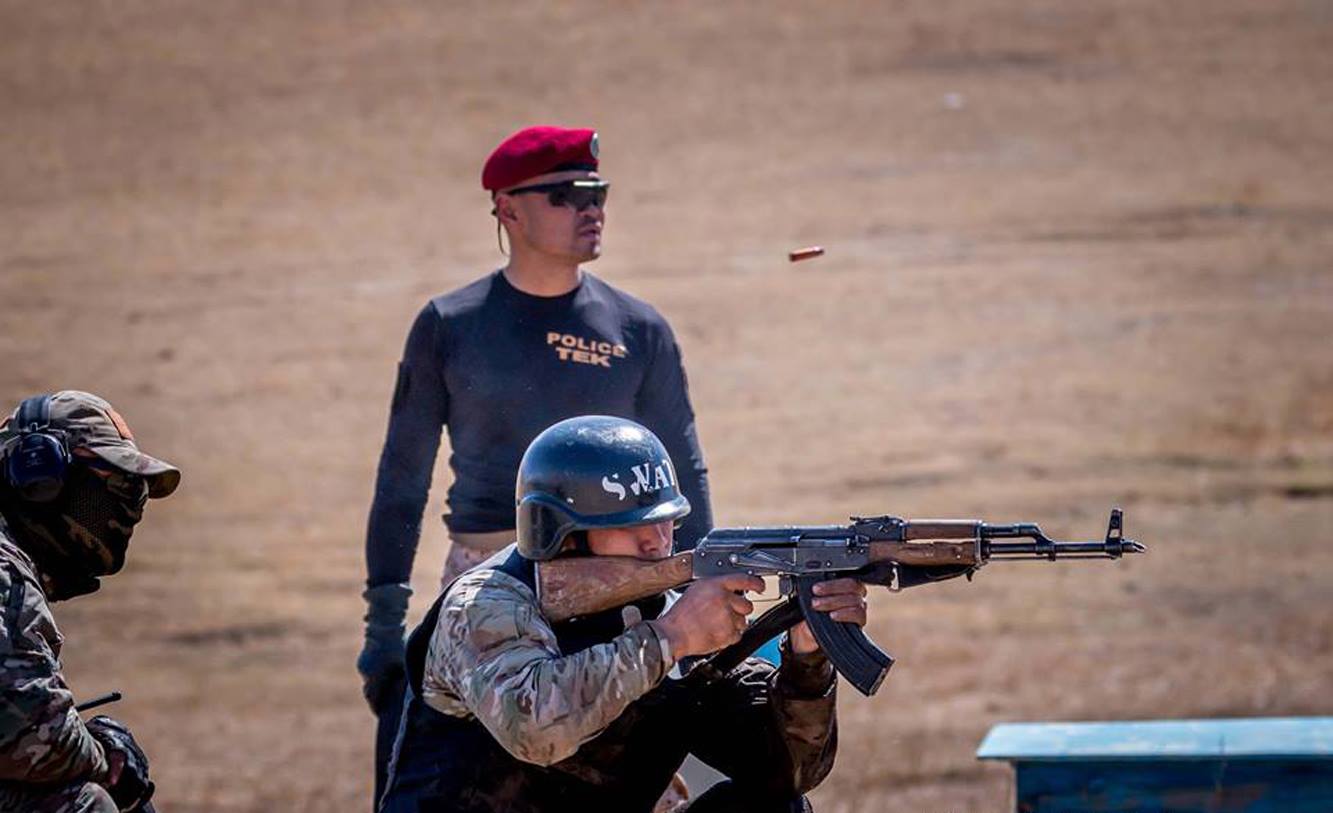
(710,616)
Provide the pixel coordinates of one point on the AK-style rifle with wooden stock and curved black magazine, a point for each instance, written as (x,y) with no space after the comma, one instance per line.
(887,551)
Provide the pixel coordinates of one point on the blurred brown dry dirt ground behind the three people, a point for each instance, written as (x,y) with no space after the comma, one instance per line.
(1078,258)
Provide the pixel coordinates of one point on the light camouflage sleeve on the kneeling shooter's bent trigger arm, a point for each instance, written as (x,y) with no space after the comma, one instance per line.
(495,651)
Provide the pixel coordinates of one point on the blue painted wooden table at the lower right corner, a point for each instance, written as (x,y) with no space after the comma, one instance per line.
(1260,766)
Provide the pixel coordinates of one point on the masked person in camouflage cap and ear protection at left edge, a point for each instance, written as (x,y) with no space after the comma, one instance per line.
(73,487)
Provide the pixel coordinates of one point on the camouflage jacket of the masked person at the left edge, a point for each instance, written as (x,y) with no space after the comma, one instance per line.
(42,736)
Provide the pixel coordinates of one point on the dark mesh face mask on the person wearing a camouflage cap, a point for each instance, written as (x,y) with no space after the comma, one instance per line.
(81,535)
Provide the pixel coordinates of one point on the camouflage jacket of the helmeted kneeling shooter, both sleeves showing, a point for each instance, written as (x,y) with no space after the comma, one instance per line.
(494,656)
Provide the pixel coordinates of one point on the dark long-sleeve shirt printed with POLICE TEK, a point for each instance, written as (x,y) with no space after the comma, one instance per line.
(498,366)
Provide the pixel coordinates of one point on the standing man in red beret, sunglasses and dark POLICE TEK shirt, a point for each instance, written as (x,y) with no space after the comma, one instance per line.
(499,361)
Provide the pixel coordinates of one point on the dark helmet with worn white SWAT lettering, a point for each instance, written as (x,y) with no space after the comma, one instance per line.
(593,472)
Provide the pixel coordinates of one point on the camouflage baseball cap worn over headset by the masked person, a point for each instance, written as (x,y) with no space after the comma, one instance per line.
(91,426)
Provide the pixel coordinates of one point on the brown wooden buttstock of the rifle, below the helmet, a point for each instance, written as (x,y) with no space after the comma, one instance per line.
(589,584)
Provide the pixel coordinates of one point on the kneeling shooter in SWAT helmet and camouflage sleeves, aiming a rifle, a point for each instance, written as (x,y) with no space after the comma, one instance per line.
(511,711)
